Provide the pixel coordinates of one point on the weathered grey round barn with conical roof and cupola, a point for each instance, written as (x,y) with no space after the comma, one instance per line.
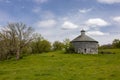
(84,44)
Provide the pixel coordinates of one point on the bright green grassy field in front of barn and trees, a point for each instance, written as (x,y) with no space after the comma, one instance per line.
(60,66)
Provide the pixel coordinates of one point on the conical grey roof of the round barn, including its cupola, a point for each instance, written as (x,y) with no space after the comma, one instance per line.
(83,38)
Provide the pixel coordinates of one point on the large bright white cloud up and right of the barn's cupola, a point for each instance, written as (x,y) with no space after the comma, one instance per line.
(96,22)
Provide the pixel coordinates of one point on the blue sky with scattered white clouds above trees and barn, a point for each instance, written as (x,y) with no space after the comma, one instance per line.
(61,19)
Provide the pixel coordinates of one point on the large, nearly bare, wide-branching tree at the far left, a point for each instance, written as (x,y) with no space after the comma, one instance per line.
(16,36)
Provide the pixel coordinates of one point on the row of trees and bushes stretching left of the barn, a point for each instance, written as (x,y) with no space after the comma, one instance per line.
(18,40)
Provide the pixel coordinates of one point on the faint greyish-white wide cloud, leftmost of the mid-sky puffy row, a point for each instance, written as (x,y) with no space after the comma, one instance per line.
(46,23)
